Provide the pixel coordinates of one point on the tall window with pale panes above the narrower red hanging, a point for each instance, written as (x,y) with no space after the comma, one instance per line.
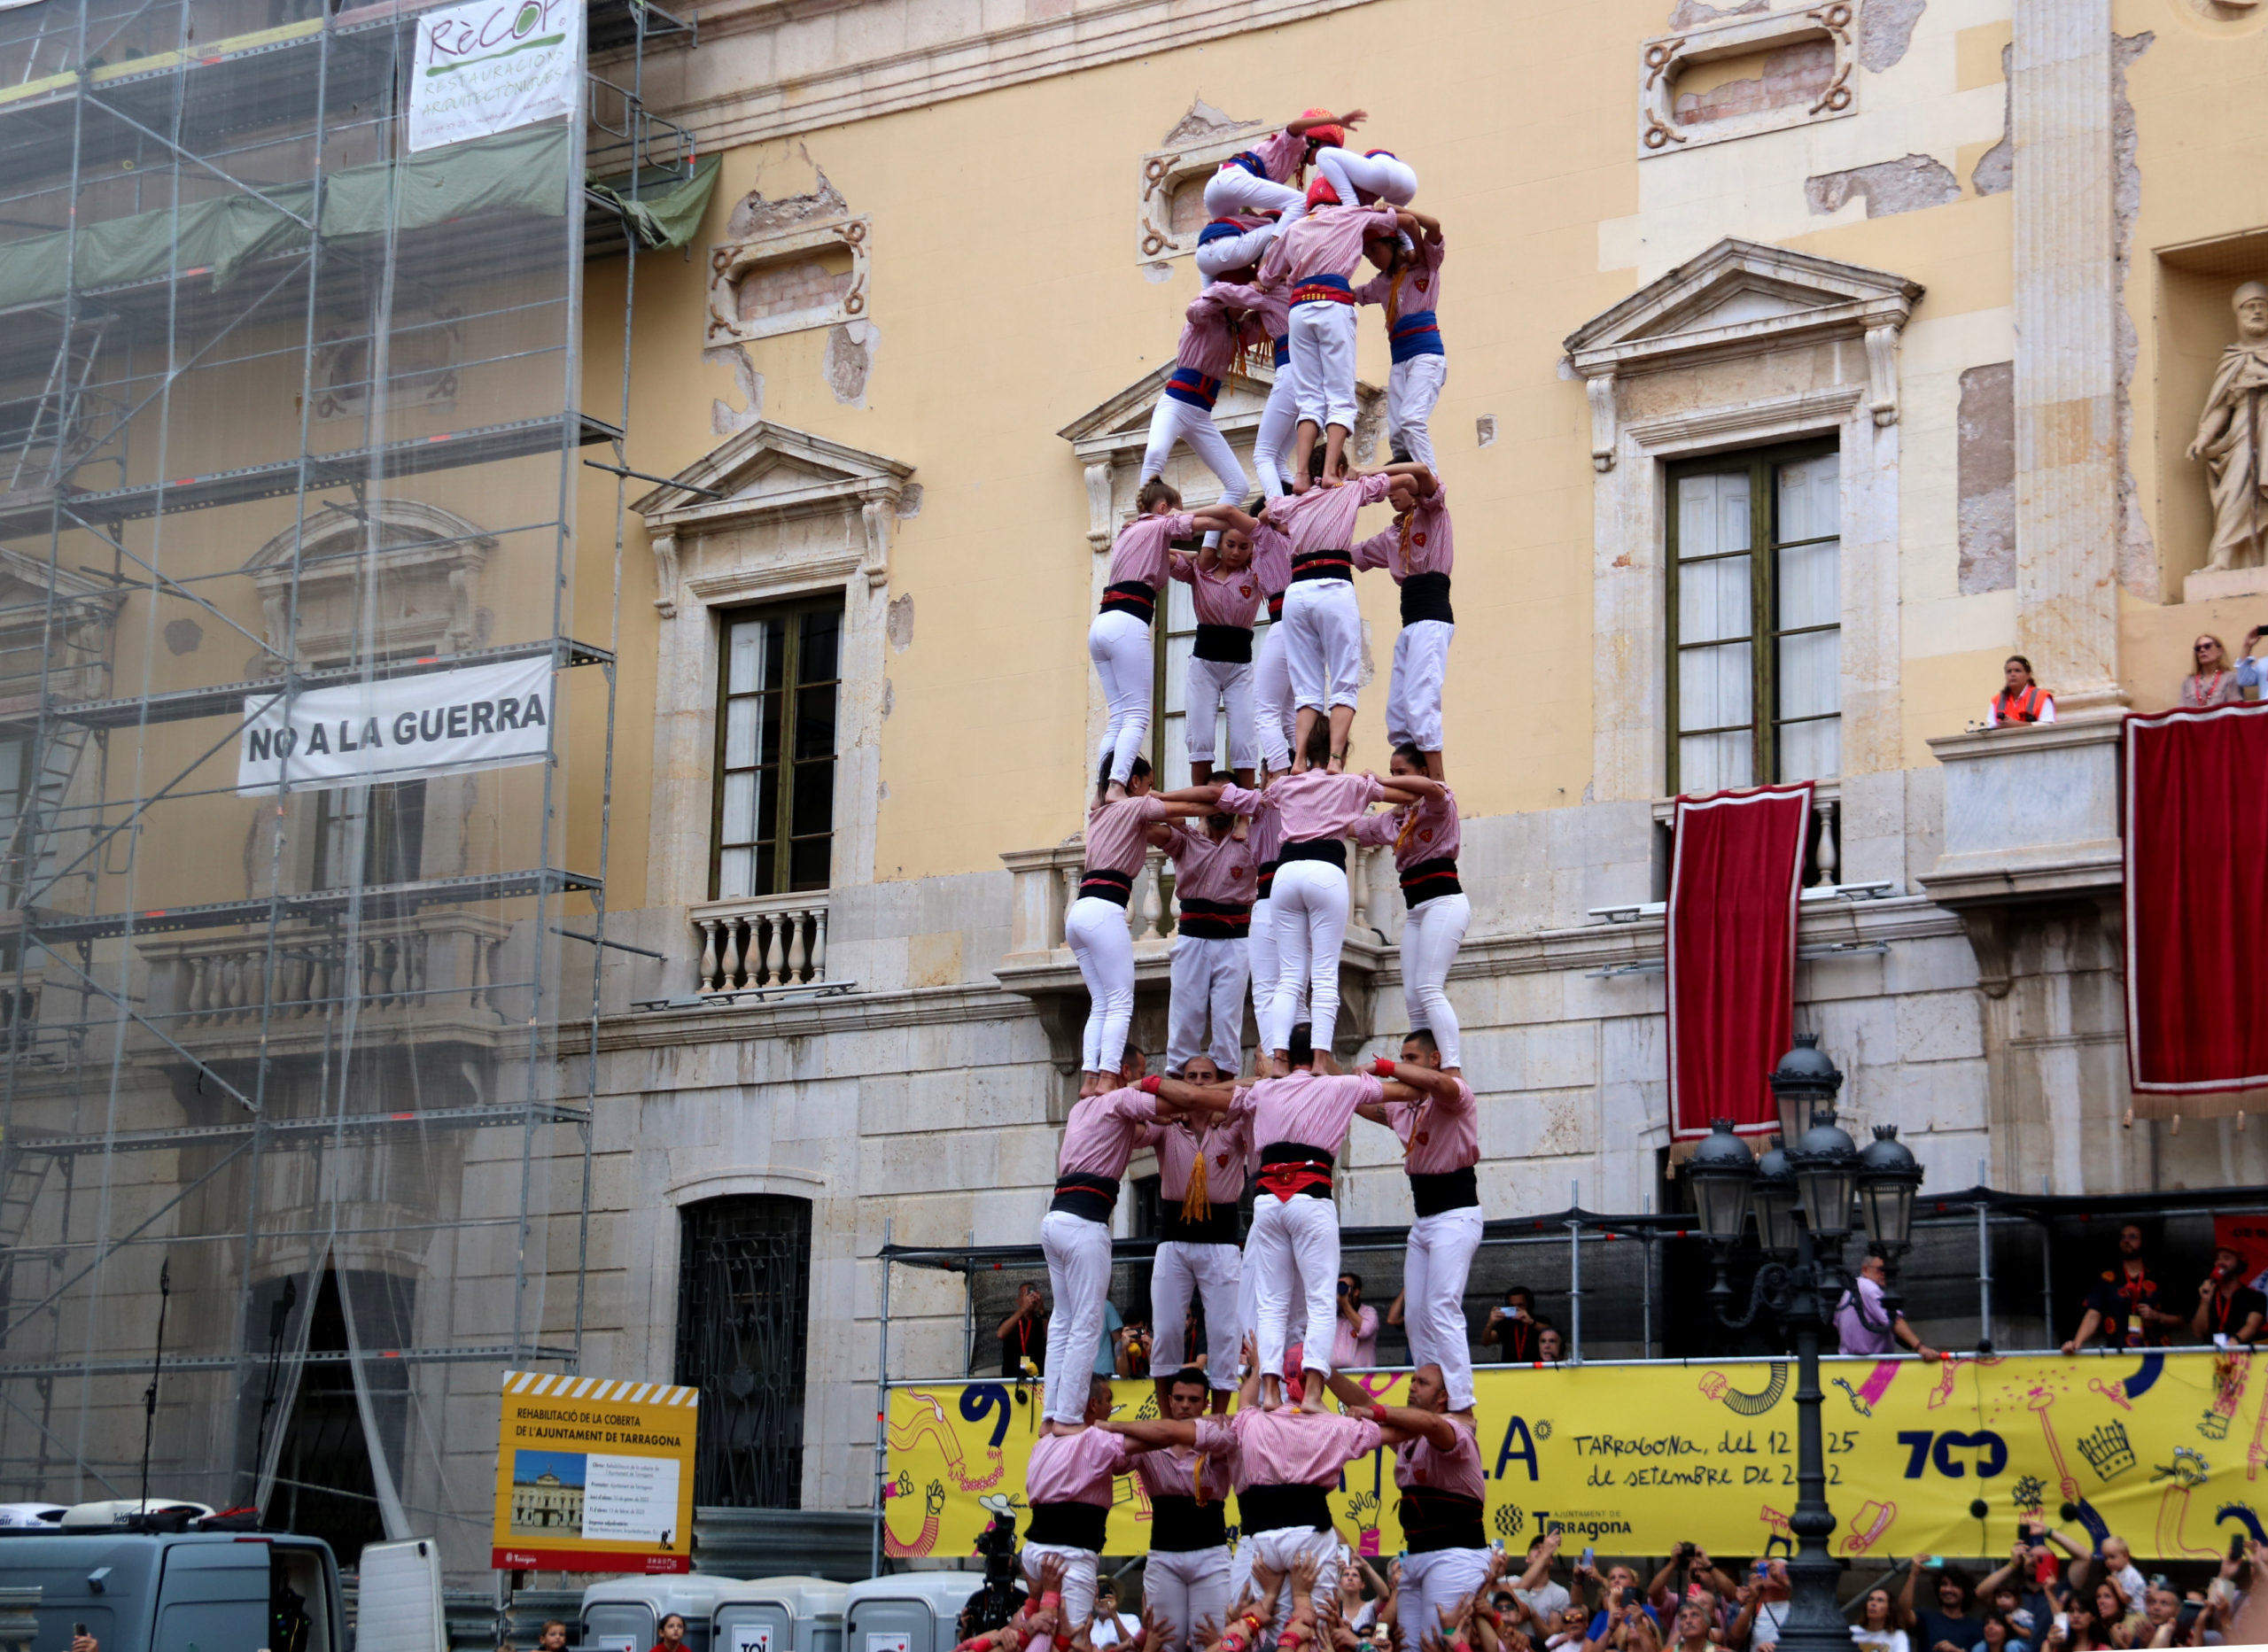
(1754,620)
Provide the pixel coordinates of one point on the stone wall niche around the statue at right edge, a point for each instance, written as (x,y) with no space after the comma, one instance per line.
(2194,327)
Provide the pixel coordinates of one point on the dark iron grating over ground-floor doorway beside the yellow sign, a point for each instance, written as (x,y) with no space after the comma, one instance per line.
(745,1293)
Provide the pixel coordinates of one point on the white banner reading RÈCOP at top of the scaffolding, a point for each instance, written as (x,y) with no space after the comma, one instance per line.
(491,67)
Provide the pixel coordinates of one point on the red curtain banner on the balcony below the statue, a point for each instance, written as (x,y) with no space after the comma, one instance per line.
(2197,892)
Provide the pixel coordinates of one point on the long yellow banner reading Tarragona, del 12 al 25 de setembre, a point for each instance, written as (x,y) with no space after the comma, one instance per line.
(2163,1449)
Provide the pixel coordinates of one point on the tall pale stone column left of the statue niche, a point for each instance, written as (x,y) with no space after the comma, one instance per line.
(2067,361)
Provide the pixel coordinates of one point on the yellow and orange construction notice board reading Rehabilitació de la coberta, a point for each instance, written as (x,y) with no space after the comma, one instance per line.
(595,1476)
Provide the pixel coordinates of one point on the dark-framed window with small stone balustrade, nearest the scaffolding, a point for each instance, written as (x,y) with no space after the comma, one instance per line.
(775,828)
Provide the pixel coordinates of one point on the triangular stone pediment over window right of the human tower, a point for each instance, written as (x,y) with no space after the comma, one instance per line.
(1741,298)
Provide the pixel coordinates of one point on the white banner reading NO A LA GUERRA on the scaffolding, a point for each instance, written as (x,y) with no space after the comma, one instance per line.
(443,722)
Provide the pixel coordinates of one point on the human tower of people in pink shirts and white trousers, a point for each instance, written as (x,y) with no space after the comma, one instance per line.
(1262,883)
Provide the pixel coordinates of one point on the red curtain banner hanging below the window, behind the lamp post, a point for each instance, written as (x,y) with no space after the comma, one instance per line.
(1736,876)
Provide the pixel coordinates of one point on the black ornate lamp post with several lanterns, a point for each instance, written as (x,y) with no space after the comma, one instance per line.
(1802,1198)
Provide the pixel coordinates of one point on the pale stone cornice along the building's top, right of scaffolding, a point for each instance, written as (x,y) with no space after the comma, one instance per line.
(772,69)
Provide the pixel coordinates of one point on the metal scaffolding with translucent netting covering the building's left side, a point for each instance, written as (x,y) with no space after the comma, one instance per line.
(291,409)
